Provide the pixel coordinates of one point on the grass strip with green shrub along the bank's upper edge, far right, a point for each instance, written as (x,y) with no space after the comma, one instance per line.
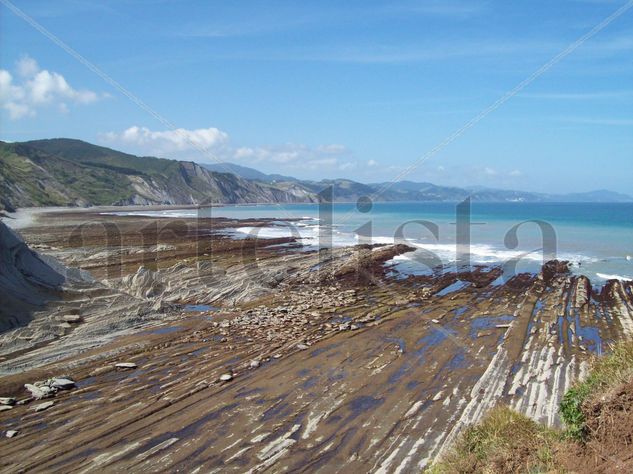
(608,371)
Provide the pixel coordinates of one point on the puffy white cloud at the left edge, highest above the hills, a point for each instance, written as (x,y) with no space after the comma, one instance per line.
(38,88)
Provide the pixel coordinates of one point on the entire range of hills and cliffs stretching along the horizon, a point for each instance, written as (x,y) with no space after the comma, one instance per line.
(67,172)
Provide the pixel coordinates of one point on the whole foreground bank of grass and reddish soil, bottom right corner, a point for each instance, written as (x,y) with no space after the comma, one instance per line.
(598,433)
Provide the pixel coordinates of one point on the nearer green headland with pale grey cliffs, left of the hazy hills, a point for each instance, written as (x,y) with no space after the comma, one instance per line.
(71,172)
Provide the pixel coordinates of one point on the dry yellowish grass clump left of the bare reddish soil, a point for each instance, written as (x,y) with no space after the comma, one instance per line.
(504,441)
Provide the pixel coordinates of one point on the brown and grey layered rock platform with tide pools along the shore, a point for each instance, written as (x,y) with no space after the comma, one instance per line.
(188,349)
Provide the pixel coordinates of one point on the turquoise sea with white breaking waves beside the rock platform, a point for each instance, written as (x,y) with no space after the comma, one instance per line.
(596,238)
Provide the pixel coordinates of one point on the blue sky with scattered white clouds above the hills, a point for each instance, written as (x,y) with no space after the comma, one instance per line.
(365,90)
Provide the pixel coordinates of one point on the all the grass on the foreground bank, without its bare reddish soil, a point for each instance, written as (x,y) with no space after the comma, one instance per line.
(506,441)
